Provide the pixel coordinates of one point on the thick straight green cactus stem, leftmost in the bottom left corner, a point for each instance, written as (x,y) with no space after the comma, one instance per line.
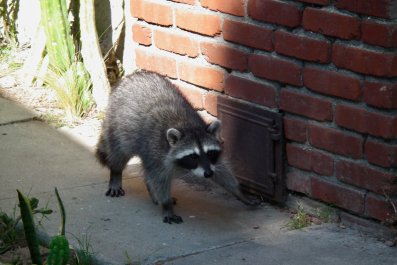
(29,228)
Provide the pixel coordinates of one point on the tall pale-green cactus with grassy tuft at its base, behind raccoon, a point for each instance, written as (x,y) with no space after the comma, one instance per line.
(66,73)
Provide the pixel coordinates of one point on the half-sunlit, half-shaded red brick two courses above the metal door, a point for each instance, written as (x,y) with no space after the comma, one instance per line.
(225,56)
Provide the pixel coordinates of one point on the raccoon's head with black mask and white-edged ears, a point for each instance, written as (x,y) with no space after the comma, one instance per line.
(196,151)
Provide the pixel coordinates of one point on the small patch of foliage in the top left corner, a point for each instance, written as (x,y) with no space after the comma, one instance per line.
(9,15)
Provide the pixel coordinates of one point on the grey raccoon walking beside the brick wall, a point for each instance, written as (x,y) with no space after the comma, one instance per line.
(149,118)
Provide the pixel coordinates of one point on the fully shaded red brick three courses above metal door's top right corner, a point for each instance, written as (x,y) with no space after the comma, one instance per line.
(302,47)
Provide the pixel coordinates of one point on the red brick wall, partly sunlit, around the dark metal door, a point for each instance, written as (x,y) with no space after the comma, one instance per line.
(329,65)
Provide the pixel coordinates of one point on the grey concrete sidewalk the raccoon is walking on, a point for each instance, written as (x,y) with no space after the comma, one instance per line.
(217,229)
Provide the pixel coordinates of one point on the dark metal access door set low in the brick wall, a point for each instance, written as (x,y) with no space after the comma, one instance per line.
(253,143)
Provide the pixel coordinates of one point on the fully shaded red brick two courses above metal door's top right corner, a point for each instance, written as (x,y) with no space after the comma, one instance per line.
(274,68)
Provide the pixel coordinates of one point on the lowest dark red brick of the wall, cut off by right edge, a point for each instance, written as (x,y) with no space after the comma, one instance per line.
(379,207)
